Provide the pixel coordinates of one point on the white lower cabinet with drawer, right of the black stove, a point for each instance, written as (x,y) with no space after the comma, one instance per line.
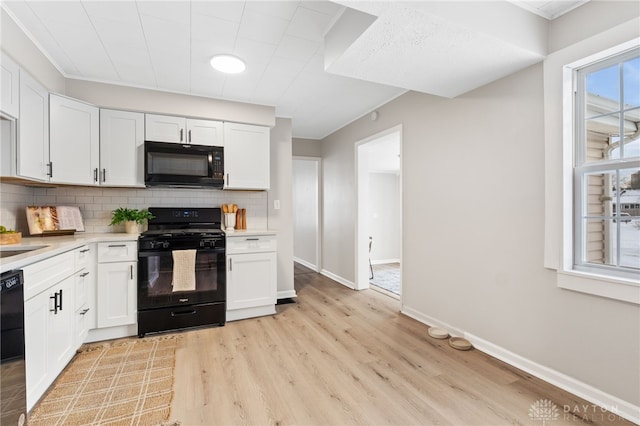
(251,276)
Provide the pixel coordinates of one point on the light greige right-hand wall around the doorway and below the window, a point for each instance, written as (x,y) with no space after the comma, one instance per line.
(473,214)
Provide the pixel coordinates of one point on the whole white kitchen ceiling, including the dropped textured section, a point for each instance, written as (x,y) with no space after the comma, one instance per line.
(434,47)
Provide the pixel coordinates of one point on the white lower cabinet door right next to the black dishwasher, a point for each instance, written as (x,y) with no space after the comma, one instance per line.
(36,320)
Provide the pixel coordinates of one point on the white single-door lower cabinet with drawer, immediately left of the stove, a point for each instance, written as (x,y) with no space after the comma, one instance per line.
(117,284)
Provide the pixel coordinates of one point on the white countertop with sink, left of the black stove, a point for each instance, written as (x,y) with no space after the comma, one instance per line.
(52,246)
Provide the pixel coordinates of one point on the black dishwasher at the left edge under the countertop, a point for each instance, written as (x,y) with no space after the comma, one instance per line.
(12,372)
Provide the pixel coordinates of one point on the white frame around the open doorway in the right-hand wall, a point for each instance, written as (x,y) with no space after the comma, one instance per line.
(361,243)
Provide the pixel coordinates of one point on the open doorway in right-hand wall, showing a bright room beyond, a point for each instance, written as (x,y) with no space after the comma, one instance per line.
(379,212)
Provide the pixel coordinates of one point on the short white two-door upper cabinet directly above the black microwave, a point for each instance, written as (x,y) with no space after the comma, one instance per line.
(167,128)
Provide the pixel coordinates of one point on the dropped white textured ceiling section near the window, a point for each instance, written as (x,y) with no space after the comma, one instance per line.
(410,48)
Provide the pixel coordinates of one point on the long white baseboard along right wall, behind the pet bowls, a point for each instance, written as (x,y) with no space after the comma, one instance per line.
(602,399)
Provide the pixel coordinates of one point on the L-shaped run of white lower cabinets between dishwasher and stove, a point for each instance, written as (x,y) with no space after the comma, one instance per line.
(62,304)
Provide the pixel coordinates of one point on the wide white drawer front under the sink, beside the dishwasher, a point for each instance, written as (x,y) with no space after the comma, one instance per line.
(42,275)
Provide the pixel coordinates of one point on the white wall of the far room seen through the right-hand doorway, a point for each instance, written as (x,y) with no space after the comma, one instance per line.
(384,212)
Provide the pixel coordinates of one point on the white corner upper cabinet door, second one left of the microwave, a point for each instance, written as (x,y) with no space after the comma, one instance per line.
(73,141)
